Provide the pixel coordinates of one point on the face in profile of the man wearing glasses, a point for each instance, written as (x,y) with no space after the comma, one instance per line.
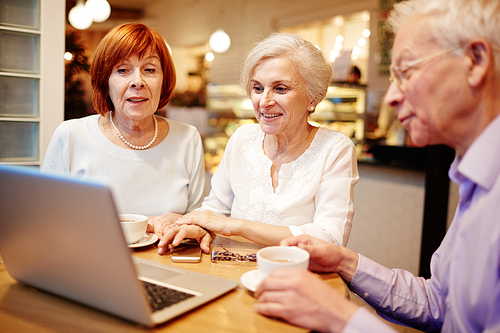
(432,95)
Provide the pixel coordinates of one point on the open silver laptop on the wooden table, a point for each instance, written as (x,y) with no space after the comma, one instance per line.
(62,235)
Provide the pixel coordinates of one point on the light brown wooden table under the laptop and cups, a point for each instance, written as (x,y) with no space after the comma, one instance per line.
(24,309)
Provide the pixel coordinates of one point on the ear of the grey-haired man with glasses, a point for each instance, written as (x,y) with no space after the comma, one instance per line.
(479,60)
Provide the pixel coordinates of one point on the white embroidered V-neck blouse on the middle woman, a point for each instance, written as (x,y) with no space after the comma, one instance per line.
(314,195)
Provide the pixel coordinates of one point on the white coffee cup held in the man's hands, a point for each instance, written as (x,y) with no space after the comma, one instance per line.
(279,257)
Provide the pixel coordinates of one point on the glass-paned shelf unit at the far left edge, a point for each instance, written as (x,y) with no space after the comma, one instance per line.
(19,81)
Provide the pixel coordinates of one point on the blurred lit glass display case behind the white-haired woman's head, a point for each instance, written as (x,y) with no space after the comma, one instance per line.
(228,107)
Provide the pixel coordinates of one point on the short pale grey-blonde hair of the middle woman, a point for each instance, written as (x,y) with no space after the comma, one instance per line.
(310,61)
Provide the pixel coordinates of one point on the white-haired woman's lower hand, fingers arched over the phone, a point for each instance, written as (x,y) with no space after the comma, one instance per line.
(176,235)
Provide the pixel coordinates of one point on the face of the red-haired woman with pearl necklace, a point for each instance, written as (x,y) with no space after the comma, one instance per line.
(135,86)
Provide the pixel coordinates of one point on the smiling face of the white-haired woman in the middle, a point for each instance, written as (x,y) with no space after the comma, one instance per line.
(279,97)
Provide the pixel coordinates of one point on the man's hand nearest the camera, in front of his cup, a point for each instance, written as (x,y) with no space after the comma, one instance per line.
(302,299)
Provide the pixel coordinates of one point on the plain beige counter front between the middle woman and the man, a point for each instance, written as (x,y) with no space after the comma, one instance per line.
(387,225)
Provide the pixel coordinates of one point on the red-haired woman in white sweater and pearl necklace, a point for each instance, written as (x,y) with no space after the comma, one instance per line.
(153,165)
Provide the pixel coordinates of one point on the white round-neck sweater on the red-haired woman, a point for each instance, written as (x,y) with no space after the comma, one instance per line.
(169,177)
